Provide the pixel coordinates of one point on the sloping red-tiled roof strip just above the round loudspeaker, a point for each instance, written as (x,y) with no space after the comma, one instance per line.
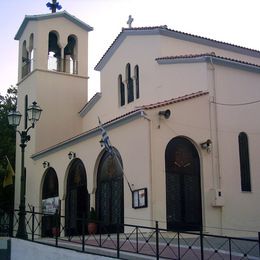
(174,100)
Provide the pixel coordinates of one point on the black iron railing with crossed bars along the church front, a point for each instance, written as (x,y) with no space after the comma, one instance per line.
(129,240)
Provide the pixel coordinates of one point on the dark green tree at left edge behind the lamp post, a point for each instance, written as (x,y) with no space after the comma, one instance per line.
(7,145)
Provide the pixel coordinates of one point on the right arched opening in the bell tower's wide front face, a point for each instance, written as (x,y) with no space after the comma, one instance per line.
(70,55)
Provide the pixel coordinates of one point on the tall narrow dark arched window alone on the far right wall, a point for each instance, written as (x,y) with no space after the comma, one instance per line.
(244,162)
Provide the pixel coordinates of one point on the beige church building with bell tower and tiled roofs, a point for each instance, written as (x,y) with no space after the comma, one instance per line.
(181,114)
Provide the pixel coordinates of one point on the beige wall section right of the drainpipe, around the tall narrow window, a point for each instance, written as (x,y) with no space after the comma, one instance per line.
(238,87)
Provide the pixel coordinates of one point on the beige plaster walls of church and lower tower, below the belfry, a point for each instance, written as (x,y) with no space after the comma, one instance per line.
(141,143)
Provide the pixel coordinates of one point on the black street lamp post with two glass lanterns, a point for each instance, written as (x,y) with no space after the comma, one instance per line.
(33,114)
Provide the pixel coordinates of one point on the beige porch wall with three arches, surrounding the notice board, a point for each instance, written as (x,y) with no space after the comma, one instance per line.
(136,167)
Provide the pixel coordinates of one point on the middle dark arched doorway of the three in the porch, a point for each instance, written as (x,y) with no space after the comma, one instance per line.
(77,198)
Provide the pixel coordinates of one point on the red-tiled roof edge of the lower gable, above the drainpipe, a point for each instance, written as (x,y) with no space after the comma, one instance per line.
(205,55)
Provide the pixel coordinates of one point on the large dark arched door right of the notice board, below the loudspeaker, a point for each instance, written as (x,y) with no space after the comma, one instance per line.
(183,187)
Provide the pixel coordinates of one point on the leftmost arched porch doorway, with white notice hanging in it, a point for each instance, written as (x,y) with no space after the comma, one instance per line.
(50,193)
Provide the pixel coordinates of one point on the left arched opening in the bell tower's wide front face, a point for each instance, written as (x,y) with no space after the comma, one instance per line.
(54,52)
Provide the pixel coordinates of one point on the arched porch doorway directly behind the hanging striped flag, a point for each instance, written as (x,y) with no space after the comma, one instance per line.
(110,193)
